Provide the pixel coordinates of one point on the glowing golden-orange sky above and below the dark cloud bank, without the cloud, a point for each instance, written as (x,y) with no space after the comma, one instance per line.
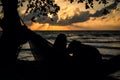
(68,11)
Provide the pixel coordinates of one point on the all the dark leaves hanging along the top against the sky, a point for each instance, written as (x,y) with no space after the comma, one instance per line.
(45,7)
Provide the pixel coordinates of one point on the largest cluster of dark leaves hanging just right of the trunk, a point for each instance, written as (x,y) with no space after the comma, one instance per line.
(40,8)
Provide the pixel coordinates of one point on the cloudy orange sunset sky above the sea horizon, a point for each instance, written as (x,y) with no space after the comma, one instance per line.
(75,17)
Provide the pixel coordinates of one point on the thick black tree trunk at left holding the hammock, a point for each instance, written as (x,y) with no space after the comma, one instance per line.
(10,40)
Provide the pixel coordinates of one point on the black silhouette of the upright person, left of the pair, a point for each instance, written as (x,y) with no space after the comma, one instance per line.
(59,47)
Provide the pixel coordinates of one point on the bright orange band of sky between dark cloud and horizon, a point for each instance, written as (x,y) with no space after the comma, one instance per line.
(107,22)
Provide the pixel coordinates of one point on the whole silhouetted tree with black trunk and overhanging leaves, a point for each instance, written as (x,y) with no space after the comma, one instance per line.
(15,34)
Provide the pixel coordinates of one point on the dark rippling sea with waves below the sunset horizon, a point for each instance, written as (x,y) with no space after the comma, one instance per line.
(107,42)
